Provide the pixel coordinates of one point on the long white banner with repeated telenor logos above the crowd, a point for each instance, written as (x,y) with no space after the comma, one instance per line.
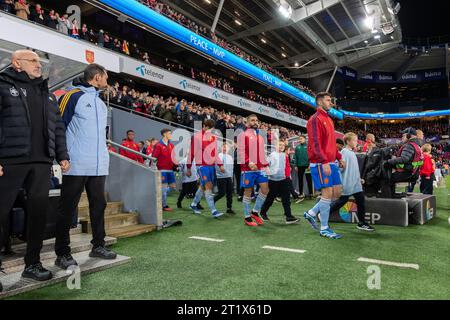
(158,75)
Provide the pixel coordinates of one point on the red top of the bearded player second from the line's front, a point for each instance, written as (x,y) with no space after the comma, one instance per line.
(251,148)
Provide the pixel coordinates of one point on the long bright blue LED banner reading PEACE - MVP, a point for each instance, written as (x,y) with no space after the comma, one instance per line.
(145,15)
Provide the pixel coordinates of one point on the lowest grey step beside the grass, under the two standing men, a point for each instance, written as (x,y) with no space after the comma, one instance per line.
(14,284)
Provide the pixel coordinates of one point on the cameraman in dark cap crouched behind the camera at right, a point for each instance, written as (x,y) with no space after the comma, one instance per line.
(407,165)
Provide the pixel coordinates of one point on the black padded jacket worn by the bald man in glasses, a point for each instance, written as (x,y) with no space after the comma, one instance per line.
(15,121)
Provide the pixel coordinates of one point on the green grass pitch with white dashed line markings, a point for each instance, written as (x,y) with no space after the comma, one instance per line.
(168,265)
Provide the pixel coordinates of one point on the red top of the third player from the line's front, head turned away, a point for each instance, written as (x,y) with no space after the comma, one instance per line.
(204,150)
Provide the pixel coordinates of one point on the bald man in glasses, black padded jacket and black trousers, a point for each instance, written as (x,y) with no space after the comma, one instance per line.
(32,135)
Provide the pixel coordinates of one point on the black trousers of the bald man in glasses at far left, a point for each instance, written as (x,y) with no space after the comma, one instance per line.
(35,179)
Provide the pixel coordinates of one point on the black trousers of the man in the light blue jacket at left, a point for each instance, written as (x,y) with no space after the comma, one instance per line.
(71,190)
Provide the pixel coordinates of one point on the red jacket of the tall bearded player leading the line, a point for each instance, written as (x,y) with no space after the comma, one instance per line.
(321,139)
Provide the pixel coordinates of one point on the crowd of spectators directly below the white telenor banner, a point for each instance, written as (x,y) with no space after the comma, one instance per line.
(181,111)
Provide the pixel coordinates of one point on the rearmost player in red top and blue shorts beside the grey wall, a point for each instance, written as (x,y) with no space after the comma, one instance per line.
(163,153)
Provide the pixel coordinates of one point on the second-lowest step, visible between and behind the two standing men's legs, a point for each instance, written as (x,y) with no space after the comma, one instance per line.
(79,242)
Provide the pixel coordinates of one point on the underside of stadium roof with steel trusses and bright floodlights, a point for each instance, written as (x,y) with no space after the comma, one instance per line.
(318,35)
